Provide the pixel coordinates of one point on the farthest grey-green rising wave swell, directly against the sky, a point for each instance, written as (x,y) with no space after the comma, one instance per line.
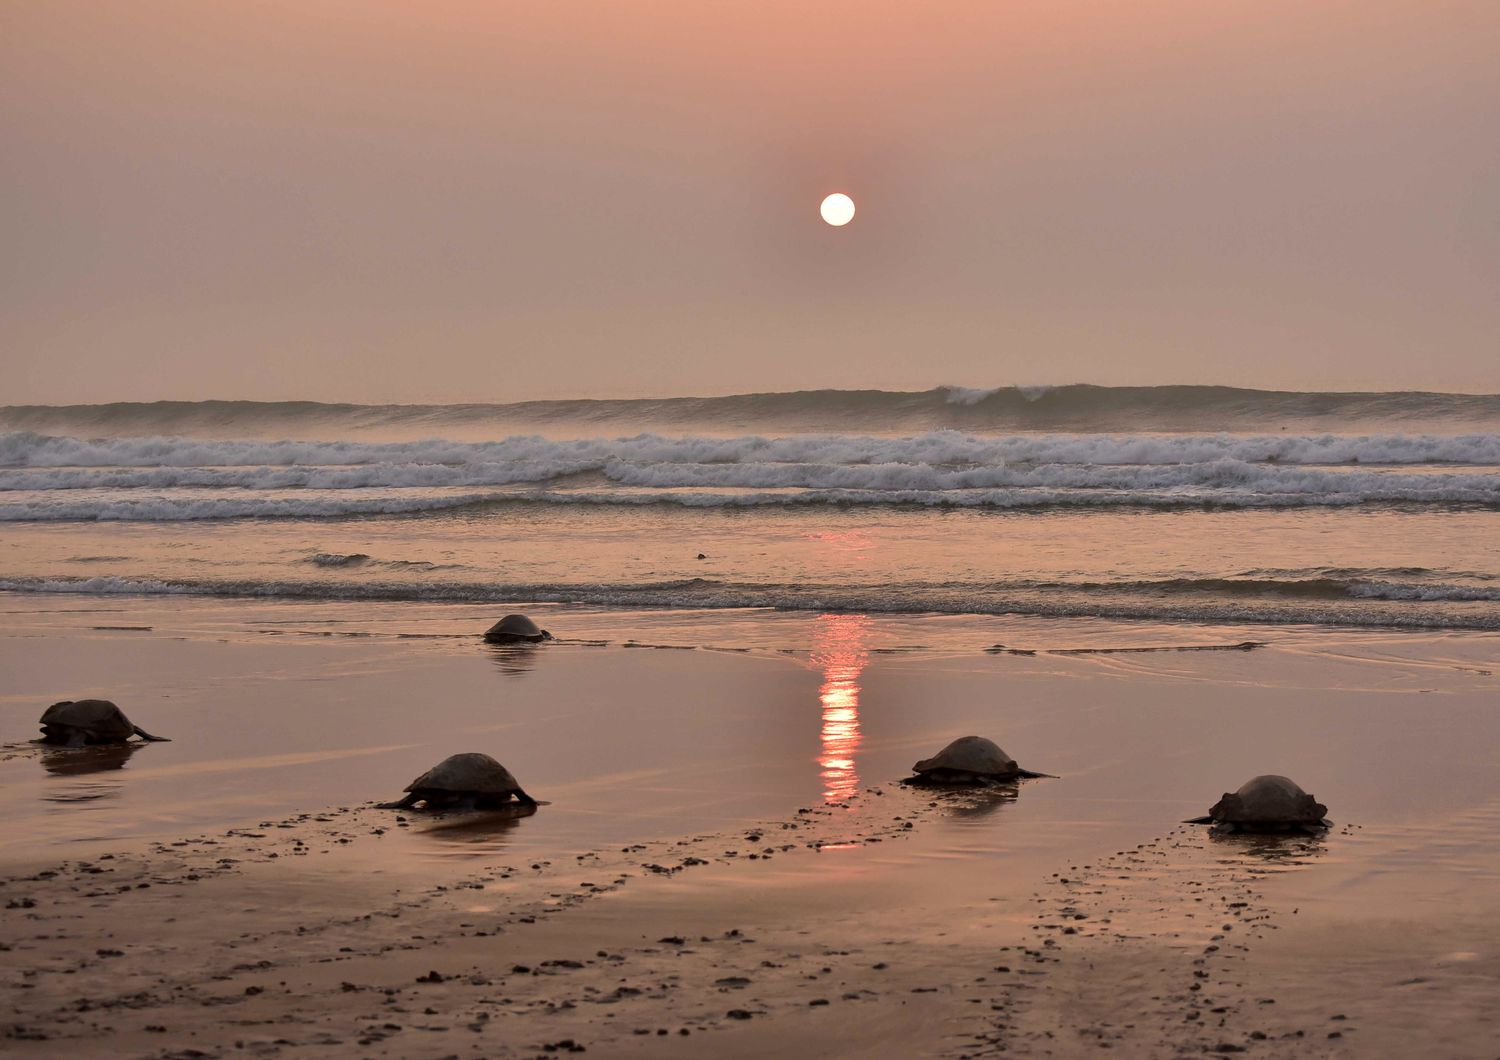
(1076,407)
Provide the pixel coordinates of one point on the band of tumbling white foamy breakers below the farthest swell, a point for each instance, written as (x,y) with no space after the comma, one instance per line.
(176,479)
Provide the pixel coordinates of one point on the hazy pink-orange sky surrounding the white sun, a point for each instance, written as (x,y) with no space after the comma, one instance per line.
(403,202)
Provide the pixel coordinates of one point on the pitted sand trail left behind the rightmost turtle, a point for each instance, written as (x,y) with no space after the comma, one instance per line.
(1145,953)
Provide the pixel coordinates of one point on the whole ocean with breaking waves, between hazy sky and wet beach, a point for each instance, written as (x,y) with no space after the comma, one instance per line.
(1162,505)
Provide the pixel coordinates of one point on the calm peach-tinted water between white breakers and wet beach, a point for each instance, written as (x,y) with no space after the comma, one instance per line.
(1381,567)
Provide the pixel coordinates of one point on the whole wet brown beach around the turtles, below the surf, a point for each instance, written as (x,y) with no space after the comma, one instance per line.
(727,861)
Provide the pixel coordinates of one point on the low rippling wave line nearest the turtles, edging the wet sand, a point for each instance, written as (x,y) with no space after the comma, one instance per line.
(1310,602)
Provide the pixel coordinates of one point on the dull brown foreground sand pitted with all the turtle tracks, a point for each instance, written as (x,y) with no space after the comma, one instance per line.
(211,947)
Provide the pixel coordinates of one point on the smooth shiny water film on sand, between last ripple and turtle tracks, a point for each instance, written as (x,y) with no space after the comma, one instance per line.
(652,723)
